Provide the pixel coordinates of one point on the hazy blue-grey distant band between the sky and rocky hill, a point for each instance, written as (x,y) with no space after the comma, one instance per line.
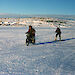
(62,17)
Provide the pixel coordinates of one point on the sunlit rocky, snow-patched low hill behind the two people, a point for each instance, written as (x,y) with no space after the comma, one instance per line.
(35,21)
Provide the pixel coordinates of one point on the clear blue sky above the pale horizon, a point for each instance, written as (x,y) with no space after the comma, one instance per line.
(63,7)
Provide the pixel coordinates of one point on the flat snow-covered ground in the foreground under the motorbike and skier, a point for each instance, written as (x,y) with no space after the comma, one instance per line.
(47,59)
